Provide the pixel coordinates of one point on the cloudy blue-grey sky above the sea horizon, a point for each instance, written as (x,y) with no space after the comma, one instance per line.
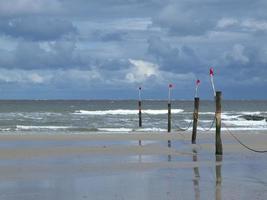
(106,49)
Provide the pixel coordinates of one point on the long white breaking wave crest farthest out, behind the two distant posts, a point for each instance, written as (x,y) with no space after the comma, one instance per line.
(125,112)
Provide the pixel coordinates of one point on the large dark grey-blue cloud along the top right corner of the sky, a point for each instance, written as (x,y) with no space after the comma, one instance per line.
(198,17)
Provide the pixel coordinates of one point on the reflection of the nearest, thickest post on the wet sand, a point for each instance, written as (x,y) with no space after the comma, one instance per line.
(218,191)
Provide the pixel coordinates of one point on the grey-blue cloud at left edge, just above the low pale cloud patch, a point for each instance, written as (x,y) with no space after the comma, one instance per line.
(31,55)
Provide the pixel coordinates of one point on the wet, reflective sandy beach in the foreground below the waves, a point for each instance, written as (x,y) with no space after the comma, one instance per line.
(114,166)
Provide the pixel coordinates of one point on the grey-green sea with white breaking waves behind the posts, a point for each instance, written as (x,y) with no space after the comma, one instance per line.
(121,116)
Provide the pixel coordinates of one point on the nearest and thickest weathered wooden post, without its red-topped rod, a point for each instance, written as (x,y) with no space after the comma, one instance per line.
(218,145)
